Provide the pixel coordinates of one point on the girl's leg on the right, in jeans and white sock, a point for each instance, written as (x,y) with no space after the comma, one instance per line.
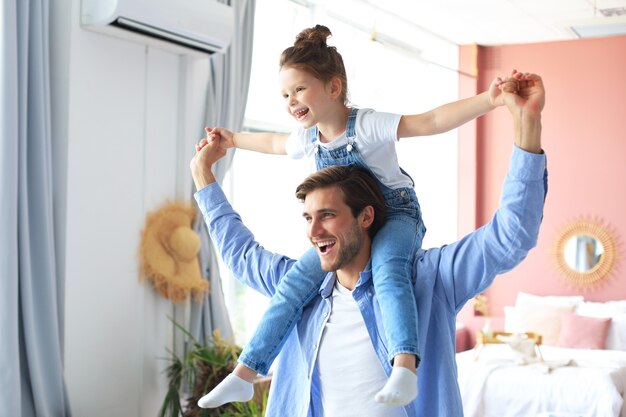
(393,250)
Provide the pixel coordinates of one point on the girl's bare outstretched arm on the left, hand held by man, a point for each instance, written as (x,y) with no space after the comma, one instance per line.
(273,143)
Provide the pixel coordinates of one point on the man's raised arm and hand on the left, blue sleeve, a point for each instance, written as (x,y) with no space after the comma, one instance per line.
(250,262)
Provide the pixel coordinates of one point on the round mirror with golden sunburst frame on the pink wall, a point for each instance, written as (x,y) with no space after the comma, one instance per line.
(585,252)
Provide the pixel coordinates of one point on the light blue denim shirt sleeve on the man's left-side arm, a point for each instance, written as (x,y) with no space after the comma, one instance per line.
(249,262)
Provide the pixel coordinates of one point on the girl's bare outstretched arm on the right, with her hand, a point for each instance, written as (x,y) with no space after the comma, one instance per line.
(452,115)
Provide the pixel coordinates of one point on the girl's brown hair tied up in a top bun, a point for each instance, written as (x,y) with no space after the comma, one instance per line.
(311,53)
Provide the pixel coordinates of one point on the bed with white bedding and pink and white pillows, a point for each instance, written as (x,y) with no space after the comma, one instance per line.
(579,372)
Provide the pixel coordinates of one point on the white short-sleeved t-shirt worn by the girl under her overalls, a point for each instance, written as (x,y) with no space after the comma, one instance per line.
(376,137)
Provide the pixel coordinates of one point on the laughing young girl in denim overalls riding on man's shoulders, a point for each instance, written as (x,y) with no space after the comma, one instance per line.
(314,85)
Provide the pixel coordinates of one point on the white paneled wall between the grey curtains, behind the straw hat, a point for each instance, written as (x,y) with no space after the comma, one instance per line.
(125,117)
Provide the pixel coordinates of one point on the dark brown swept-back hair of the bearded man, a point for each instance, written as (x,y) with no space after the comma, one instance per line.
(358,186)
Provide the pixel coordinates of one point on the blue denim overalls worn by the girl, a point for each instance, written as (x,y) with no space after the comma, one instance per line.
(393,249)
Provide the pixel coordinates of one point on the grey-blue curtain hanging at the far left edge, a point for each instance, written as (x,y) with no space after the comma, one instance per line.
(31,290)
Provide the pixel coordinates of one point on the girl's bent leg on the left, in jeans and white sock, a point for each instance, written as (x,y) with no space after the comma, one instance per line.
(295,290)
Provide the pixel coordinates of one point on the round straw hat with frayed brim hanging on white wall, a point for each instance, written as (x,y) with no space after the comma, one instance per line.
(169,252)
